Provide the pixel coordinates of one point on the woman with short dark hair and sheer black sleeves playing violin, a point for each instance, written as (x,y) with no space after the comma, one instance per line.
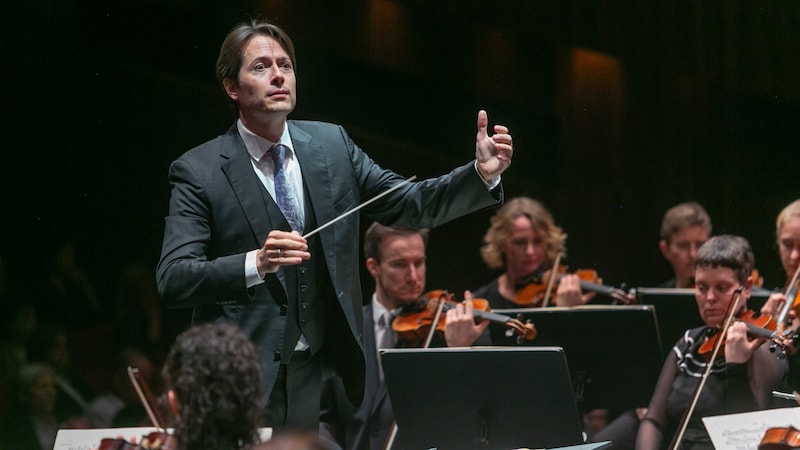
(740,379)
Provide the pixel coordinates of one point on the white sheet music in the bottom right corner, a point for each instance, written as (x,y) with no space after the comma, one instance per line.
(744,431)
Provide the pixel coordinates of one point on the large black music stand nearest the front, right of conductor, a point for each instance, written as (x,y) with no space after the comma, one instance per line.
(481,398)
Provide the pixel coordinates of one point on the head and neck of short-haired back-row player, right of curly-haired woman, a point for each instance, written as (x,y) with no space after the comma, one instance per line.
(685,228)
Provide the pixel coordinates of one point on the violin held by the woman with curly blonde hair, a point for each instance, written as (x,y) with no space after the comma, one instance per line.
(535,287)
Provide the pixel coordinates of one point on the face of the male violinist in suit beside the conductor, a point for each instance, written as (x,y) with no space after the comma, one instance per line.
(400,274)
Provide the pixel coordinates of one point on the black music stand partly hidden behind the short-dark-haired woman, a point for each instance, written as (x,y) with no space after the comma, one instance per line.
(676,310)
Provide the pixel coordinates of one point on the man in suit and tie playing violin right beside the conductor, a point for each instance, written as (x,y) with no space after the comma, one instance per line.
(395,258)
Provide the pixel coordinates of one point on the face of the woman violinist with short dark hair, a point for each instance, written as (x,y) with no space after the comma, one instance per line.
(713,290)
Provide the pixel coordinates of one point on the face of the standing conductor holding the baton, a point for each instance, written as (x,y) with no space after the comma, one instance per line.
(266,88)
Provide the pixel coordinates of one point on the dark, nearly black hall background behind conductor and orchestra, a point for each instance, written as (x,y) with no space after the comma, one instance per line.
(618,112)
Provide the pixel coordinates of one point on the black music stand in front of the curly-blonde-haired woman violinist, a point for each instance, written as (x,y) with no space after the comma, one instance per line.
(614,352)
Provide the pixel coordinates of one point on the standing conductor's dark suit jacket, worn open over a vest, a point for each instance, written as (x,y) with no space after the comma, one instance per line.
(219,210)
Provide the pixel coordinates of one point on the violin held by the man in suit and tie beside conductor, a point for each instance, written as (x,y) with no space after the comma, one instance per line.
(416,320)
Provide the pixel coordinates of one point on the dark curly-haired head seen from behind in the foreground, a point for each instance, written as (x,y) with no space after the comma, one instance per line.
(213,377)
